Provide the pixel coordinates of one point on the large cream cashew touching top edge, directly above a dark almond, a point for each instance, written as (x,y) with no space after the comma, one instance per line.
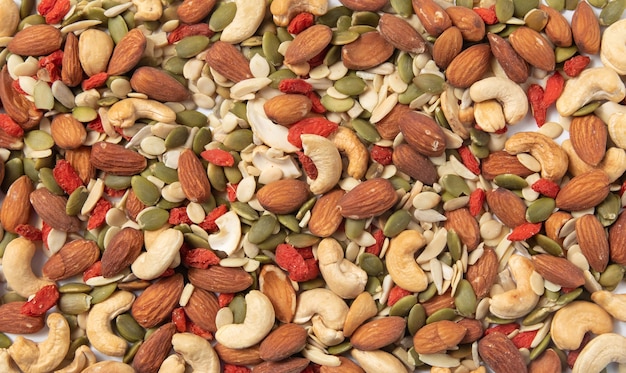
(247,19)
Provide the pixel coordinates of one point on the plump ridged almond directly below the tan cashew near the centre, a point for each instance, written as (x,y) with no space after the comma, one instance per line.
(367,199)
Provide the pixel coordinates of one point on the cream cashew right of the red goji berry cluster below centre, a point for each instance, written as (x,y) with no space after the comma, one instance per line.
(343,277)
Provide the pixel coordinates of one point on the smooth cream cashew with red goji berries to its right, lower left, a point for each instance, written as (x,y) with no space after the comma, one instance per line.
(151,264)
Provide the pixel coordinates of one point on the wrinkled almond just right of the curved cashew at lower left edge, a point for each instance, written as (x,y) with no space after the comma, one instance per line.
(73,259)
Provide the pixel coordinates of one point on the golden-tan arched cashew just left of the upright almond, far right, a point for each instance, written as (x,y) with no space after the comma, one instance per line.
(551,156)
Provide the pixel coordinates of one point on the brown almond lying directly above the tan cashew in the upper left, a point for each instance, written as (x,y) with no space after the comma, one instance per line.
(158,85)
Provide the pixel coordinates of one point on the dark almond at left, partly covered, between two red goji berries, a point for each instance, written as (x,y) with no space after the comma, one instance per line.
(51,209)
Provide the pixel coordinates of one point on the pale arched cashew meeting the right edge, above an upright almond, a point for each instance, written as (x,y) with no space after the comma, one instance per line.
(600,83)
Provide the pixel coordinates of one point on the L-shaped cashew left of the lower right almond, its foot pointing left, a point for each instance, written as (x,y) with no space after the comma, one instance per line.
(520,301)
